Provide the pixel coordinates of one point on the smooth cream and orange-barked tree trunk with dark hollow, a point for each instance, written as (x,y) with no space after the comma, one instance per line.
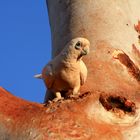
(108,107)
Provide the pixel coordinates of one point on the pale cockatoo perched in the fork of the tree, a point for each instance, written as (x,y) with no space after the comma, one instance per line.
(66,72)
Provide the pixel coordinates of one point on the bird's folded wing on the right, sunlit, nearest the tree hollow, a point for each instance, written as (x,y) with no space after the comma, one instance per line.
(83,72)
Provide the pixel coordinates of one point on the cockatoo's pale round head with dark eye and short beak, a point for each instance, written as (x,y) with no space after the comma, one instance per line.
(79,47)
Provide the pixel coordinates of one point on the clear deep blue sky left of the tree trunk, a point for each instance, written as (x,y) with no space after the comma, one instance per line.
(25,47)
